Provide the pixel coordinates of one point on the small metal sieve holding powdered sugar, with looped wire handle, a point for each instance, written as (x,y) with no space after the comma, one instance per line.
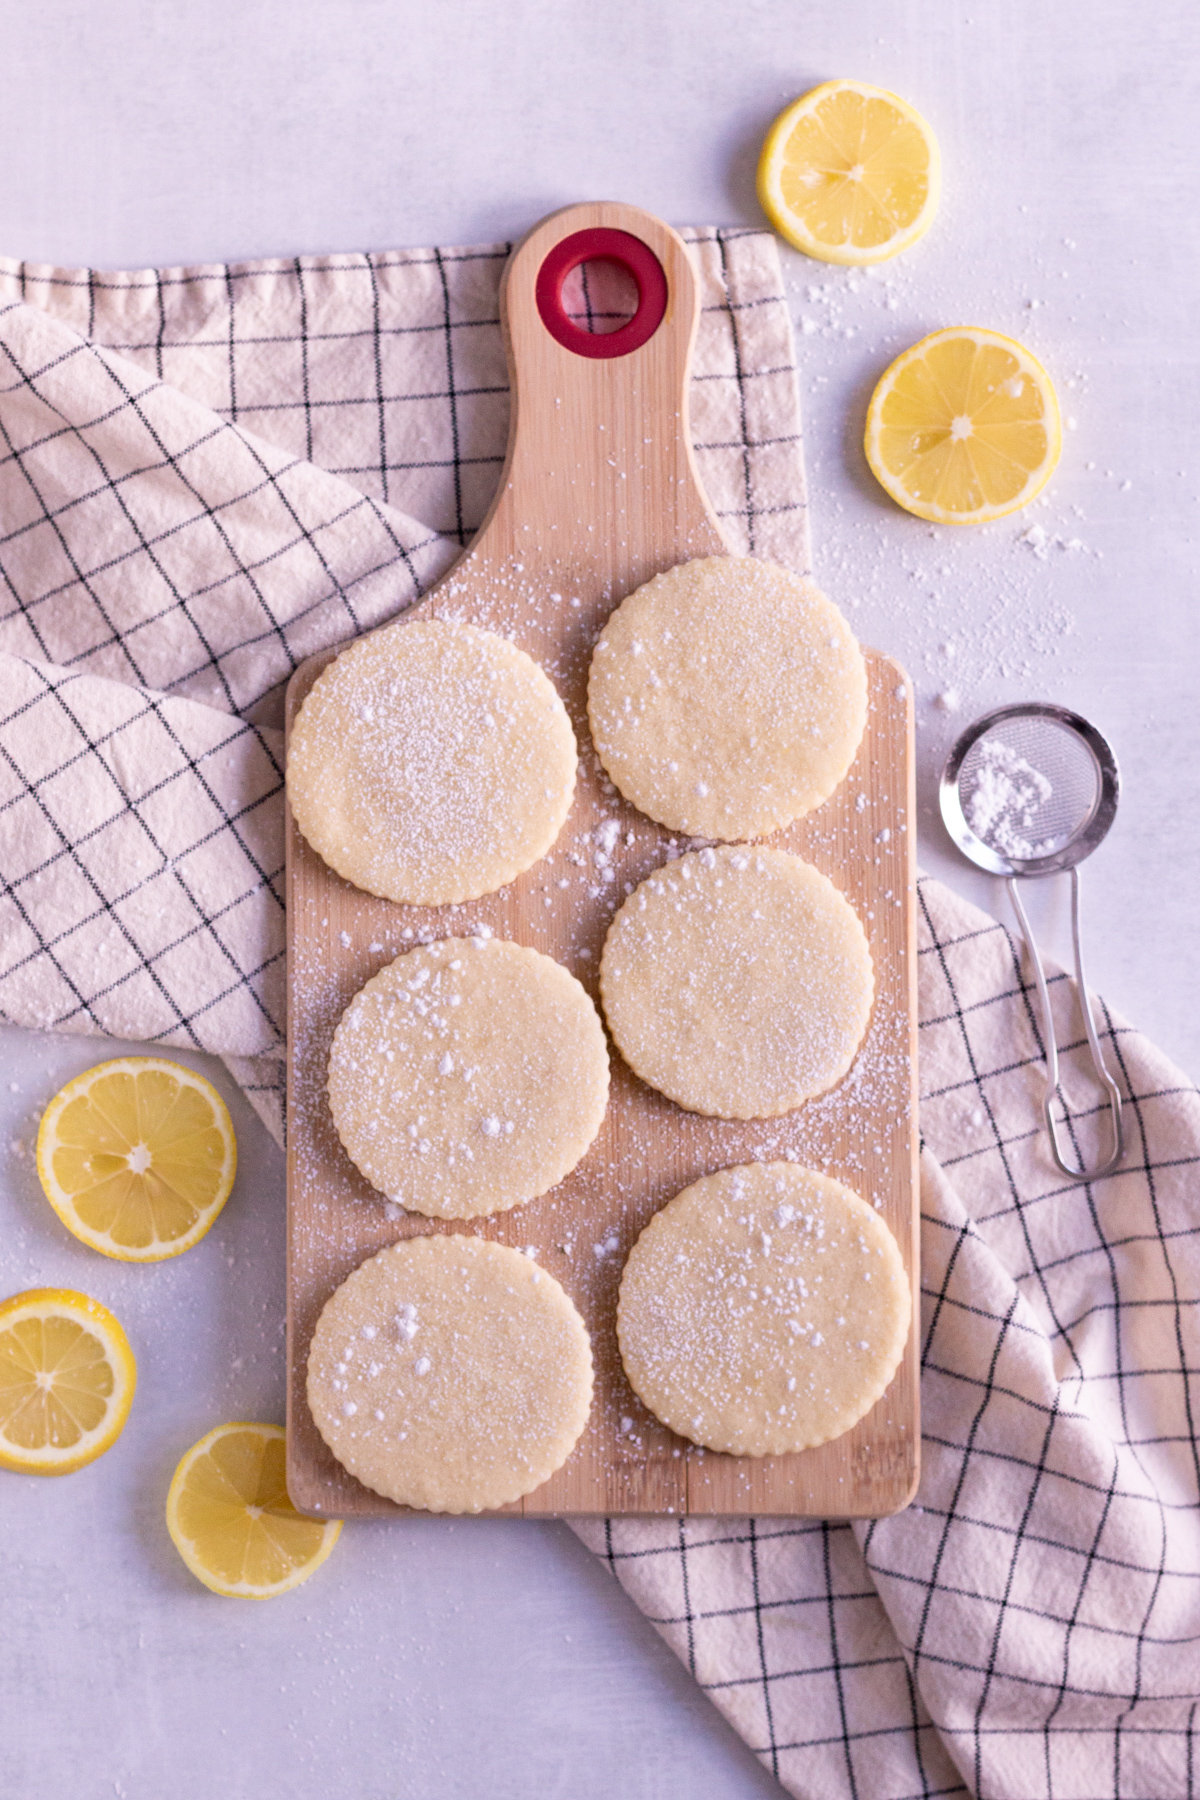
(1032,791)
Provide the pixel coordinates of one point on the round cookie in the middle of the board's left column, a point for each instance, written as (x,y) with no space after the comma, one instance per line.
(469,1075)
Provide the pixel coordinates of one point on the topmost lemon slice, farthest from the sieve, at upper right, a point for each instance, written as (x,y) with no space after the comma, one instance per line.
(850,174)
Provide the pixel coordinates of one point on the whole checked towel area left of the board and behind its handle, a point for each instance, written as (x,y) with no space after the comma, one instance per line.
(206,476)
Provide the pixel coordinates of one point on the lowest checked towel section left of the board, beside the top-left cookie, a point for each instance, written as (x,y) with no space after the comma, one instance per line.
(143,849)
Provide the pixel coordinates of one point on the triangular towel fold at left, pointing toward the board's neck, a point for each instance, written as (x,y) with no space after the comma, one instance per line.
(152,543)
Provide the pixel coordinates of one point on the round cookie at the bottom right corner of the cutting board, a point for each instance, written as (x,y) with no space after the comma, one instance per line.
(766,1309)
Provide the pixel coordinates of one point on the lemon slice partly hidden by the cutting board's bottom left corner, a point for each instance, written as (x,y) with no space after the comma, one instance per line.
(231,1518)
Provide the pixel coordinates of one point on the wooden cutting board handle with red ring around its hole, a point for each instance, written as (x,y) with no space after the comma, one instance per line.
(600,463)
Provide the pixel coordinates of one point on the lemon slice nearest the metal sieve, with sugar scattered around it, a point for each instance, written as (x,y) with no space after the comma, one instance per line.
(963,427)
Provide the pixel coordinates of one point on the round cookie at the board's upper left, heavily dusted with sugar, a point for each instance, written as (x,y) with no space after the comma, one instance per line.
(431,764)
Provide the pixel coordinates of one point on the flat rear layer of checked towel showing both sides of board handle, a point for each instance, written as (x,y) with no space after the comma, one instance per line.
(388,370)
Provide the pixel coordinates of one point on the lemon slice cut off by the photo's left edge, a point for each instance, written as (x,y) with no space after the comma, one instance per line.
(67,1378)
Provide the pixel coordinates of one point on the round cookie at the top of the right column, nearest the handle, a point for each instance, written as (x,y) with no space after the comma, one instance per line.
(728,697)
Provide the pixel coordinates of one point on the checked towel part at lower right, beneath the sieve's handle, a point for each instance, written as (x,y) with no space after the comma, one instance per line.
(1032,1626)
